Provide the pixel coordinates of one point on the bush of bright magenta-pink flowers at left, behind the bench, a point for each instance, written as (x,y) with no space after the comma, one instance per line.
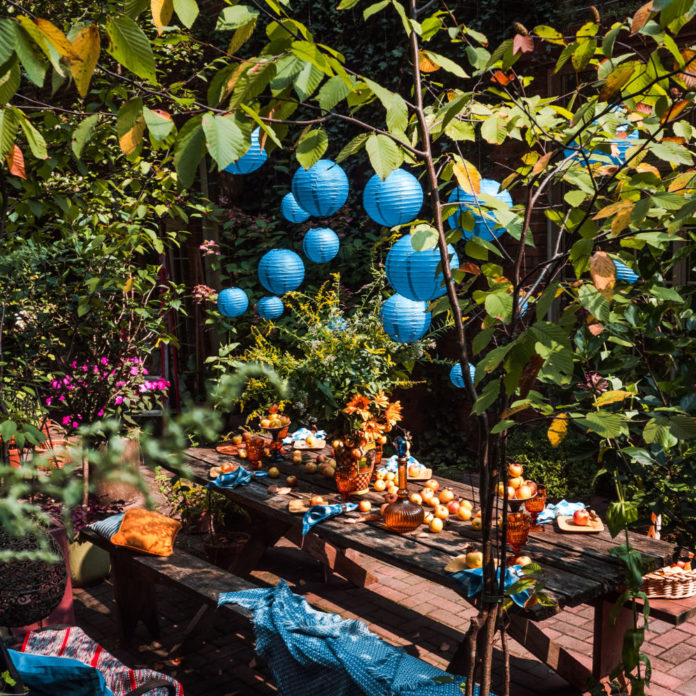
(92,390)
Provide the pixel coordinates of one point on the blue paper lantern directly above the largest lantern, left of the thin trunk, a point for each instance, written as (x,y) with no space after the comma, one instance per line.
(394,201)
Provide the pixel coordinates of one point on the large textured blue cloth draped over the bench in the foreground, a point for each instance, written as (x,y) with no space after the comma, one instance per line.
(311,652)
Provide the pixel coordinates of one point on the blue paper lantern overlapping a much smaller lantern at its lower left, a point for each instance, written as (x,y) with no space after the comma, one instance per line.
(322,189)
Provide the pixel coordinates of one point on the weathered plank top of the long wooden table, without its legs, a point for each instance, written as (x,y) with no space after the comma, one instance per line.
(578,568)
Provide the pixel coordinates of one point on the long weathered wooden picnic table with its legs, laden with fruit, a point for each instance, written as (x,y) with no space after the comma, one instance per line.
(578,568)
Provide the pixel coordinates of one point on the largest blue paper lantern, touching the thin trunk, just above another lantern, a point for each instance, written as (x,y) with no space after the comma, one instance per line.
(413,273)
